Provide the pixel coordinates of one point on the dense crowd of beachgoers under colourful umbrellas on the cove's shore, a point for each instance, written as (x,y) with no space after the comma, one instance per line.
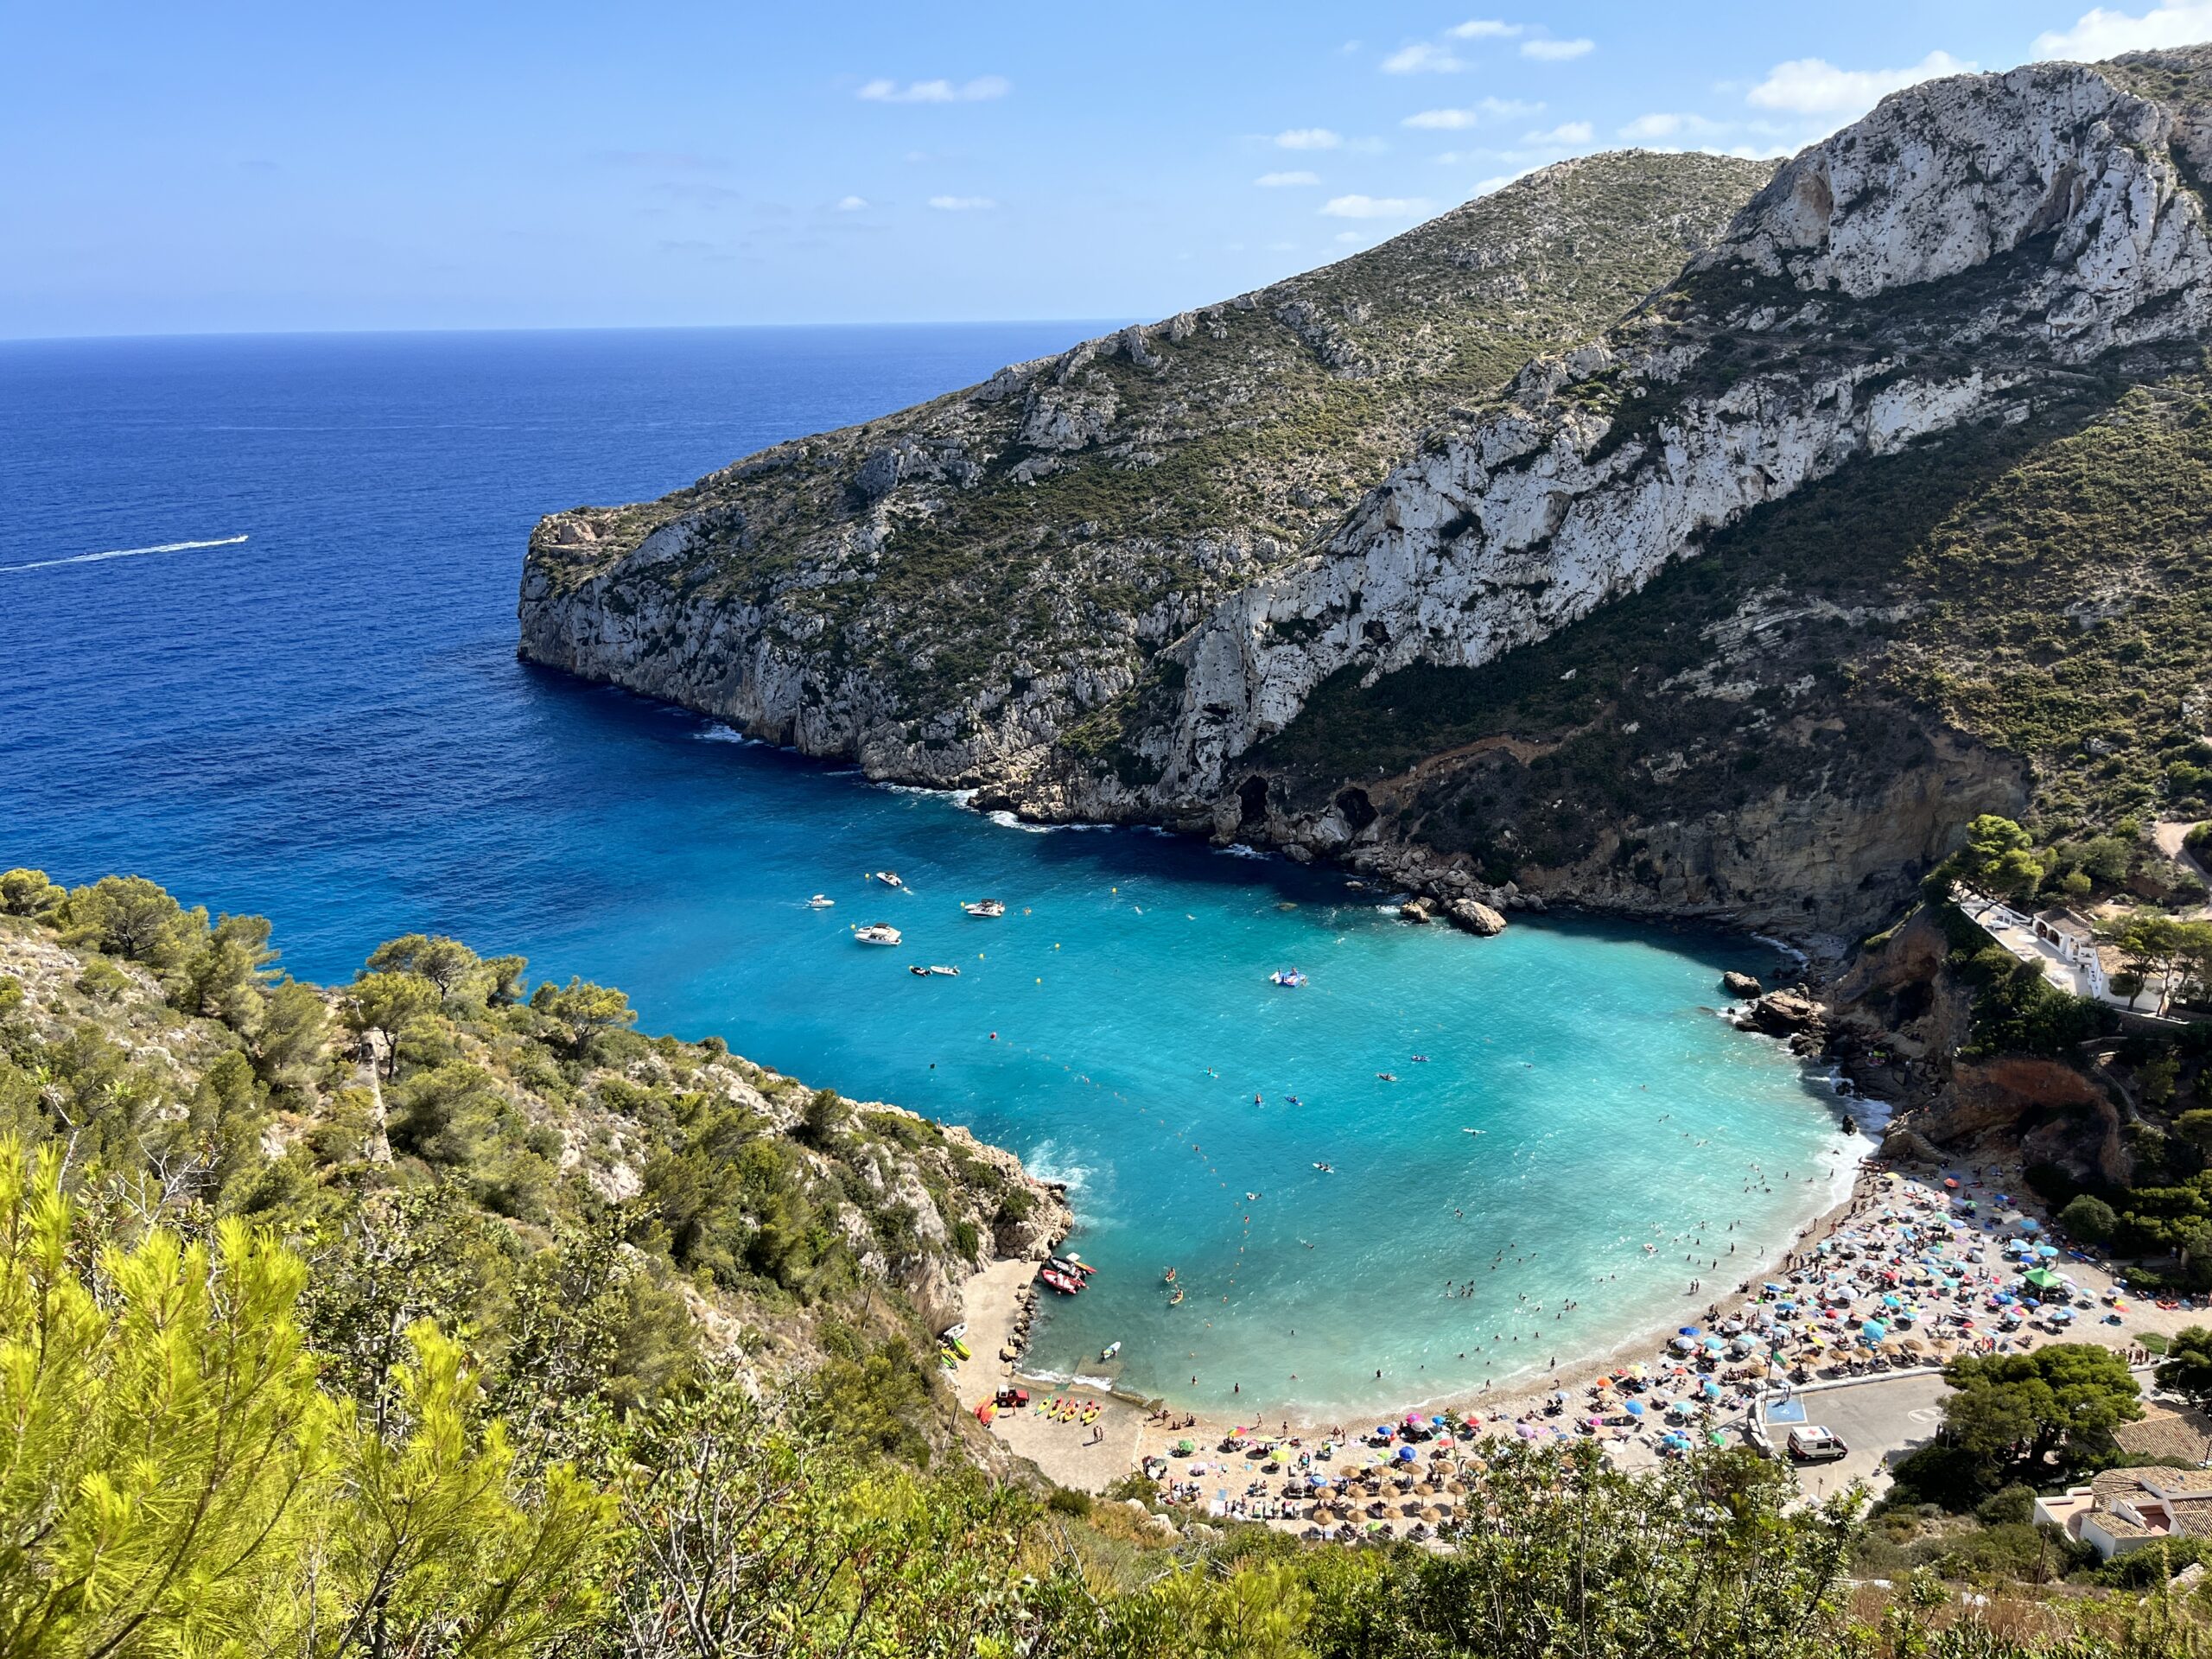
(1910,1273)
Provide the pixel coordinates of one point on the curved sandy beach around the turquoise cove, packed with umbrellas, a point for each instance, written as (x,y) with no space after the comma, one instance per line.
(1943,1246)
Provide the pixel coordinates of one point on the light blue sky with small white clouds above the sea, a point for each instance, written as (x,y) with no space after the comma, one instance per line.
(410,167)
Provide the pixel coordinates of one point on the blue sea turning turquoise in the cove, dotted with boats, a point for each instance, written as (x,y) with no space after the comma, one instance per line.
(326,722)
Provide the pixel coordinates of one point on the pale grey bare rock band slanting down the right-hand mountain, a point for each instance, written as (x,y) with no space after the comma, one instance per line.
(1912,273)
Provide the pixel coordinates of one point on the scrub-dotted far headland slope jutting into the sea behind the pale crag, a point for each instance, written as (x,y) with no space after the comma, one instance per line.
(957,589)
